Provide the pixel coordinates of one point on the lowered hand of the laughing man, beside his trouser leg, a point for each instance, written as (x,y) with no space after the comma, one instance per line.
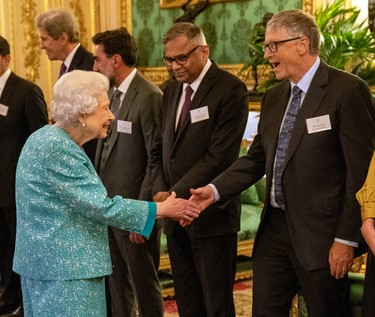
(340,259)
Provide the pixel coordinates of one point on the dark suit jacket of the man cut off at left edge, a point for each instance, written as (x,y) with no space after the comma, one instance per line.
(27,112)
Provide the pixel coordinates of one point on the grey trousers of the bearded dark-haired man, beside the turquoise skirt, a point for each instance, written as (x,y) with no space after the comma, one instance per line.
(134,284)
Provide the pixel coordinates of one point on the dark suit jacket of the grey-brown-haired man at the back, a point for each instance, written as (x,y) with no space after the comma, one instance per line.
(84,60)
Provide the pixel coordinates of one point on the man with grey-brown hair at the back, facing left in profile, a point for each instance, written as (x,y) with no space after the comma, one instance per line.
(59,37)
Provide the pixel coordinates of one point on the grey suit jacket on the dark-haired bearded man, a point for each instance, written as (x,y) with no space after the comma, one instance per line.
(130,163)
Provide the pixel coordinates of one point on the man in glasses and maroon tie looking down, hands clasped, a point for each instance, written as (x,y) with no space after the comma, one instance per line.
(196,149)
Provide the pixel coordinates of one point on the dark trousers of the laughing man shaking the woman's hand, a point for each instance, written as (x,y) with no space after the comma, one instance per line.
(278,276)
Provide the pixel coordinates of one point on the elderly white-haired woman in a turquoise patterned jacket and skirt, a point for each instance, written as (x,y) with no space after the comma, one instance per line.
(63,211)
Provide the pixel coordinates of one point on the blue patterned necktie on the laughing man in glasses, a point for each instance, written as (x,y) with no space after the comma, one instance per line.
(283,142)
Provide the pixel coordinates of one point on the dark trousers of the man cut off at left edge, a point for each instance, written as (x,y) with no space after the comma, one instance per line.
(10,281)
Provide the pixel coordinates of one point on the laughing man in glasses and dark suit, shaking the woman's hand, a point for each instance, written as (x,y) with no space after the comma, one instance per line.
(315,148)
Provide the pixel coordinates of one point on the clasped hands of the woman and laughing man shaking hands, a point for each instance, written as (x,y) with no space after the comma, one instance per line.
(182,210)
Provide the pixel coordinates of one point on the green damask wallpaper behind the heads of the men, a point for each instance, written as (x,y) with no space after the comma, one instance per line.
(225,25)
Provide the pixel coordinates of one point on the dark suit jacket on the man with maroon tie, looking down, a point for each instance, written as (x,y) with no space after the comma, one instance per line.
(204,149)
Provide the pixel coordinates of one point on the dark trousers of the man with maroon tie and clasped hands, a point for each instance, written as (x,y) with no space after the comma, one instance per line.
(203,270)
